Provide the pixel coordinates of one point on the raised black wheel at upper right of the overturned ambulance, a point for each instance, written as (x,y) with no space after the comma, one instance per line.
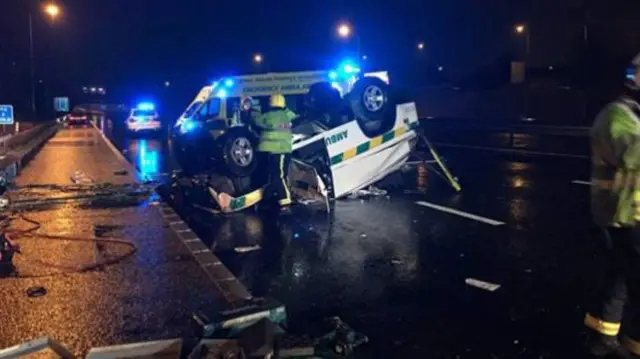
(372,106)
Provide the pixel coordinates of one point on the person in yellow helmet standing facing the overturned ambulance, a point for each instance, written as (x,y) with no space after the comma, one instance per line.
(275,142)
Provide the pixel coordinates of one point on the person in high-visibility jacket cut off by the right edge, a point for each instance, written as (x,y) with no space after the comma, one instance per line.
(615,207)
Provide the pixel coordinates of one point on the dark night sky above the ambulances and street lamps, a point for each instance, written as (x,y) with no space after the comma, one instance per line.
(143,42)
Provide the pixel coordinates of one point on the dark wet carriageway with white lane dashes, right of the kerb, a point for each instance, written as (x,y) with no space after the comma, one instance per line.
(396,270)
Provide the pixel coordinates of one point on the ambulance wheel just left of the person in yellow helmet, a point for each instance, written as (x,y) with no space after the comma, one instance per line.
(239,153)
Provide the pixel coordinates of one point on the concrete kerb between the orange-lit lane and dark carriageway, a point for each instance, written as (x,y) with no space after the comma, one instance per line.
(233,291)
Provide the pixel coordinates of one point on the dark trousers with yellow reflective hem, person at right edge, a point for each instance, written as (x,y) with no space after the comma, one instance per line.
(620,290)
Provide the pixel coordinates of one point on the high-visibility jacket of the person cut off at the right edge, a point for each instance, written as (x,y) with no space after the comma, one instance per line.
(615,172)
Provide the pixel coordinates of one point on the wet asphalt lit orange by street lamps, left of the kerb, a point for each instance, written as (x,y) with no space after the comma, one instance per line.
(147,296)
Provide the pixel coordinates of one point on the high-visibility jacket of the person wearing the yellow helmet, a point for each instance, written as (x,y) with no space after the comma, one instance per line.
(276,134)
